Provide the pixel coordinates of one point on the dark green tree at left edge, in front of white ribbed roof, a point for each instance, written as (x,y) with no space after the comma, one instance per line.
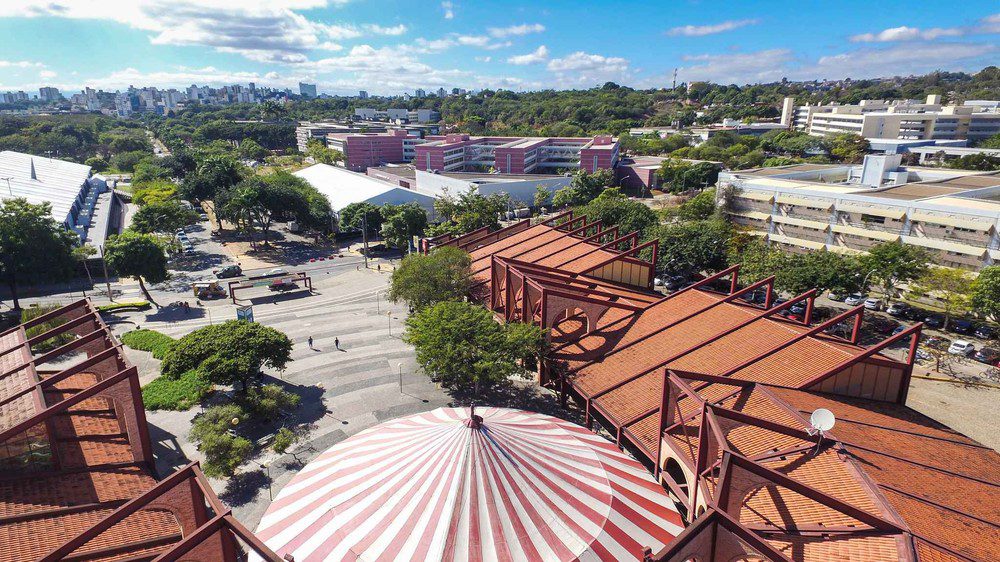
(33,246)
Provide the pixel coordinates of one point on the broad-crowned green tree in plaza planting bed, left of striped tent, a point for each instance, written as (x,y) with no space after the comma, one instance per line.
(231,352)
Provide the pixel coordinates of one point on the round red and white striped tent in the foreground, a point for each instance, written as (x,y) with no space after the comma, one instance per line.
(505,485)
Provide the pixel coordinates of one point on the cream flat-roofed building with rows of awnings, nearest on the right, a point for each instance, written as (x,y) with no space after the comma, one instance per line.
(953,214)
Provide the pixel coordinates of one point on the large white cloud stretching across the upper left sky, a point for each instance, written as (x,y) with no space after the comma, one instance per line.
(270,31)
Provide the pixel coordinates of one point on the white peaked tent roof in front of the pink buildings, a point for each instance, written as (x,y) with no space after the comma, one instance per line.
(343,187)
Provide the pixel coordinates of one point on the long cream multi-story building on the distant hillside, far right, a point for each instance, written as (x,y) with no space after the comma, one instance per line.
(897,119)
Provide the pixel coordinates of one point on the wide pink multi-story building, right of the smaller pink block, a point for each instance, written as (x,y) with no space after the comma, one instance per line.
(516,155)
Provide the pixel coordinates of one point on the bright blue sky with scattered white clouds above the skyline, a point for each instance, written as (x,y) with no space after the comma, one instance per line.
(388,47)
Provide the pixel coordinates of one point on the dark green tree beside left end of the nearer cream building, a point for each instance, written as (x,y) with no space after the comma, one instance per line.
(693,246)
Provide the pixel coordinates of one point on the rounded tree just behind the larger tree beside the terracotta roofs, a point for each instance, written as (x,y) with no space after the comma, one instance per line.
(422,280)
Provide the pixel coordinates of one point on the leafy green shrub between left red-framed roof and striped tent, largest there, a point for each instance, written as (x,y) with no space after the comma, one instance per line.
(224,451)
